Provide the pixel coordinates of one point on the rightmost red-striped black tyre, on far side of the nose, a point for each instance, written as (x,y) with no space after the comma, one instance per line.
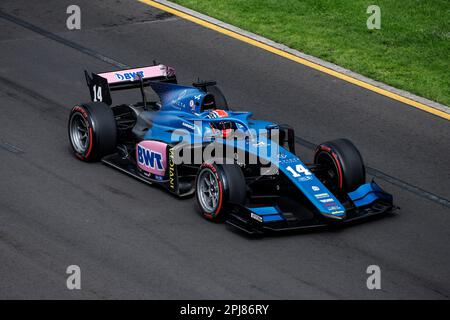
(344,165)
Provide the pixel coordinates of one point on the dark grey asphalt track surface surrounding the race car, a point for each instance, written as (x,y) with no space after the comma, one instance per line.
(135,241)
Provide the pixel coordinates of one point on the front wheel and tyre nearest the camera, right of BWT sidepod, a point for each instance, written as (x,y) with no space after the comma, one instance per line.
(217,188)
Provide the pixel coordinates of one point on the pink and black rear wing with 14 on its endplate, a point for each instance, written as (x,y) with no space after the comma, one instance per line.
(101,84)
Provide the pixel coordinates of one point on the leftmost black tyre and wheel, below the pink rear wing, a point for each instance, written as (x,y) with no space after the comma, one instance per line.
(92,131)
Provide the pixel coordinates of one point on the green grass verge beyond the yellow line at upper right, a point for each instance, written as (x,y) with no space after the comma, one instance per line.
(411,51)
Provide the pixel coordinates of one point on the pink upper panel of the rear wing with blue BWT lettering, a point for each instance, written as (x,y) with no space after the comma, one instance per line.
(132,74)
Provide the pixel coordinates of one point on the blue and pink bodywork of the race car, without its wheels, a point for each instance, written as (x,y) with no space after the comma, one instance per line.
(290,197)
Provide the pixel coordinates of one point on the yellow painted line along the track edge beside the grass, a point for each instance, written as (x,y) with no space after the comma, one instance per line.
(292,57)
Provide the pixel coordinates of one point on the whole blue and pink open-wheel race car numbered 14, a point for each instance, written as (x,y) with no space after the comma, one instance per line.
(258,185)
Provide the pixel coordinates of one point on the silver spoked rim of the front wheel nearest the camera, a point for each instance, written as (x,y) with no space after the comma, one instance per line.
(208,191)
